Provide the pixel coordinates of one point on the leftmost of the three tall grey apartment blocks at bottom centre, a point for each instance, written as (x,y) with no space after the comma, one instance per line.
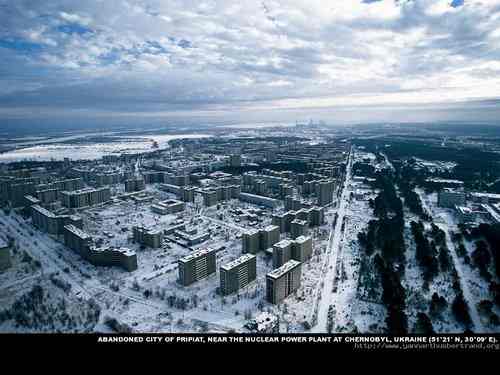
(197,266)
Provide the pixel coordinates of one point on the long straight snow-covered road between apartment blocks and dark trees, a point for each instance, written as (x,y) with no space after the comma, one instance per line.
(327,293)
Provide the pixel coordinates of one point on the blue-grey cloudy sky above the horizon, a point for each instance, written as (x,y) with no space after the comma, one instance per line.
(339,60)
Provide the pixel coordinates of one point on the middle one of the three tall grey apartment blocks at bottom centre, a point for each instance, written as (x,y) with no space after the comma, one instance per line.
(238,274)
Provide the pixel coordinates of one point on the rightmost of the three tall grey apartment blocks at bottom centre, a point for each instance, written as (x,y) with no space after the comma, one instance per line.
(283,281)
